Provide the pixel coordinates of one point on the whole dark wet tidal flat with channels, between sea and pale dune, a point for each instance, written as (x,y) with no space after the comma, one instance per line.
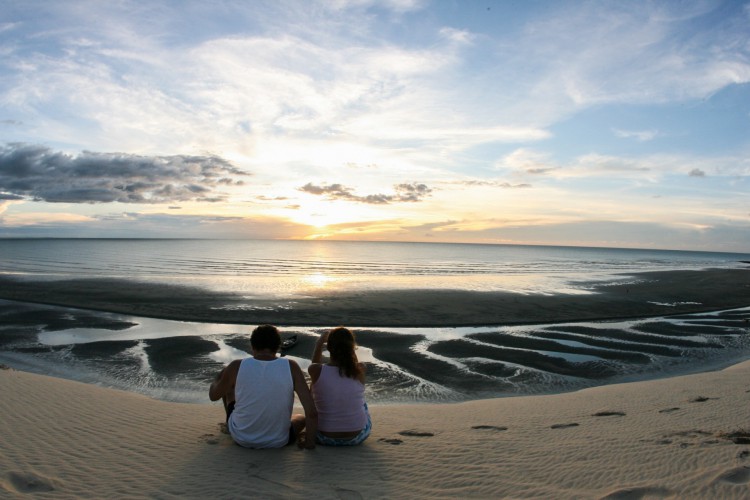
(649,325)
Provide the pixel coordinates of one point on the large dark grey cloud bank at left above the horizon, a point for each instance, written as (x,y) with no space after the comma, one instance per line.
(37,172)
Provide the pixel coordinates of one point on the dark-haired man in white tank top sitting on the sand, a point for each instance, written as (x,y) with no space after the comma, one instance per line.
(258,395)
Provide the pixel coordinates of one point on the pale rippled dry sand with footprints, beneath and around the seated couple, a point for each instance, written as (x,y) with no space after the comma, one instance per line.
(62,439)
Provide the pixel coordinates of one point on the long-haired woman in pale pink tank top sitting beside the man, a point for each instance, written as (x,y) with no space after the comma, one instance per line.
(338,389)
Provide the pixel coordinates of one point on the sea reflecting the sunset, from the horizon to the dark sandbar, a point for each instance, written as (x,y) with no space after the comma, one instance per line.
(271,269)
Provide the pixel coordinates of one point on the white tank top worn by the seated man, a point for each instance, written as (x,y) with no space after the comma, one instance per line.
(264,395)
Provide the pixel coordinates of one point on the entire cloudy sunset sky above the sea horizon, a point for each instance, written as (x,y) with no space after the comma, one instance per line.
(603,123)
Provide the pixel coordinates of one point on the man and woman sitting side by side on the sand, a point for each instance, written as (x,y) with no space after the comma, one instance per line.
(258,394)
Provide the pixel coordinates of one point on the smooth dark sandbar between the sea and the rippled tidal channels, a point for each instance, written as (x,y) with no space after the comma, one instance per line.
(649,294)
